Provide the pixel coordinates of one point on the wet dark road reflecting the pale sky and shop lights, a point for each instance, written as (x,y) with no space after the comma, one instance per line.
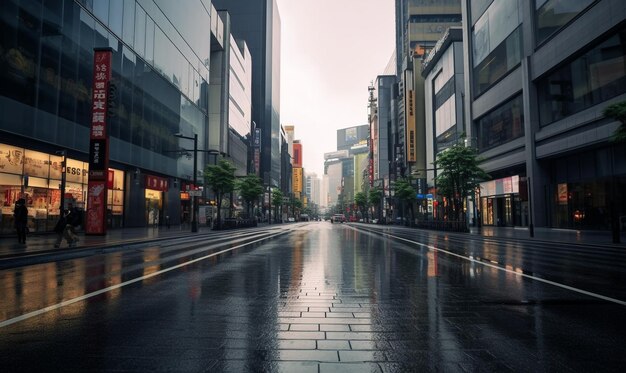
(320,298)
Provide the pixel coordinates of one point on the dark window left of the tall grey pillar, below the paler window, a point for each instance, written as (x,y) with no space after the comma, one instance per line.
(501,125)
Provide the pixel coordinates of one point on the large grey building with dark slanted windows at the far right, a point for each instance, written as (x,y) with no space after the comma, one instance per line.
(540,75)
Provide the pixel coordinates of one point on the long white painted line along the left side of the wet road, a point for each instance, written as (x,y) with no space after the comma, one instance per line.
(114,287)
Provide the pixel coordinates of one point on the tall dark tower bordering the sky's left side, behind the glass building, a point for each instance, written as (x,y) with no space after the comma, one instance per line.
(258,23)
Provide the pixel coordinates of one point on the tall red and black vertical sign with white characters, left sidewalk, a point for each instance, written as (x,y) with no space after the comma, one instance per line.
(99,143)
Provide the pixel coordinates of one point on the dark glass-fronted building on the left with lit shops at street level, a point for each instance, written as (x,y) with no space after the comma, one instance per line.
(160,70)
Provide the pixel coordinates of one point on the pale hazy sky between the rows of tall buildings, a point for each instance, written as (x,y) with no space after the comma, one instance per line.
(330,51)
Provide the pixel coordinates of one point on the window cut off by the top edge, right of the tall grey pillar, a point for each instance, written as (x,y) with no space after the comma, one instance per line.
(552,15)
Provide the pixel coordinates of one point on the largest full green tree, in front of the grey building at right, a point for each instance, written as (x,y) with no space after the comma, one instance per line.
(458,175)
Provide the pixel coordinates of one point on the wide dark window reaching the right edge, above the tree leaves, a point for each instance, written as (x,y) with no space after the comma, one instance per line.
(596,76)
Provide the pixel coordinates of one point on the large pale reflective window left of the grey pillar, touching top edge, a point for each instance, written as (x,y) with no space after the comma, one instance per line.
(497,43)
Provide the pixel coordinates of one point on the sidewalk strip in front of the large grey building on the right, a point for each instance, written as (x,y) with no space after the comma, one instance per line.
(551,234)
